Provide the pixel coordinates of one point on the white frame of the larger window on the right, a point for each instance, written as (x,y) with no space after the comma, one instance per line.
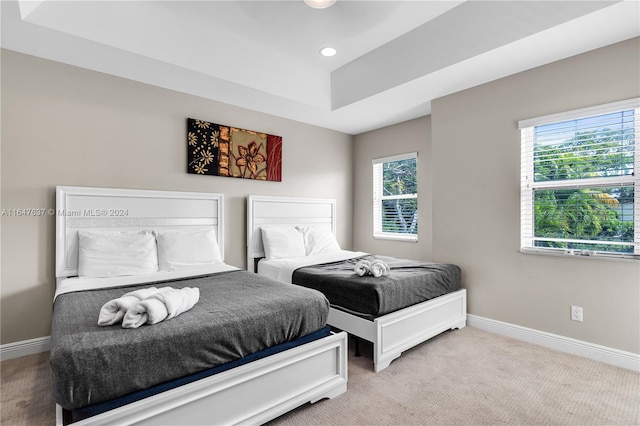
(529,186)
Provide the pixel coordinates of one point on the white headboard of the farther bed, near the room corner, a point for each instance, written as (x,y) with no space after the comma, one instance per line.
(284,211)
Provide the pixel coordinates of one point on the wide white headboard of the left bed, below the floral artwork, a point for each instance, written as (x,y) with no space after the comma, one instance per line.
(131,209)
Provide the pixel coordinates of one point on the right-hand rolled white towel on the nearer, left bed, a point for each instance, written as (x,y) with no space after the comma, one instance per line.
(161,306)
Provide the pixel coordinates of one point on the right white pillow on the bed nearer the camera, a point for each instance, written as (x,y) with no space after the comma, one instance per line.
(183,249)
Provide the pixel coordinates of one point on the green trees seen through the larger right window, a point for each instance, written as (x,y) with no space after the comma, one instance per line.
(591,213)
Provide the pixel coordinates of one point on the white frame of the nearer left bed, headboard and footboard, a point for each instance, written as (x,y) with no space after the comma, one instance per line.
(253,393)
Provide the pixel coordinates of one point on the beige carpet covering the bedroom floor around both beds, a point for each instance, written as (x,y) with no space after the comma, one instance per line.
(463,377)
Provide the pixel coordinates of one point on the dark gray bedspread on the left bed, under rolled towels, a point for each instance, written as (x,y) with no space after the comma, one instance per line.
(238,313)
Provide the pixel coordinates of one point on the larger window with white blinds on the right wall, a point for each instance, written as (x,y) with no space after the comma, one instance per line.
(580,182)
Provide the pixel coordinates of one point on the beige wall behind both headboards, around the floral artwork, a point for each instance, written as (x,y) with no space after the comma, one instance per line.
(63,125)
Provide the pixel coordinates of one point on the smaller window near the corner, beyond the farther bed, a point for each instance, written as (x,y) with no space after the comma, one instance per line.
(395,197)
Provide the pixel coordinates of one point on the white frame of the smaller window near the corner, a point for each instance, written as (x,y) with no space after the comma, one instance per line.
(378,198)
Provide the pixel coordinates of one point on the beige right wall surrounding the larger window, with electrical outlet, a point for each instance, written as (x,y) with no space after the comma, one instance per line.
(476,211)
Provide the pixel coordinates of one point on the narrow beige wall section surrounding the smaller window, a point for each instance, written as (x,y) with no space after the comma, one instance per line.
(410,136)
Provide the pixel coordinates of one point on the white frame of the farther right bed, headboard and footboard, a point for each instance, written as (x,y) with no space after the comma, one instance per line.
(390,334)
